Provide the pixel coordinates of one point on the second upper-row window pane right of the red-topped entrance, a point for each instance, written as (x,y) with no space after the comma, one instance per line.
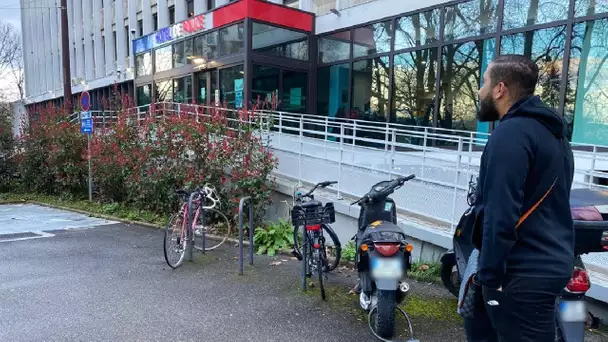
(372,39)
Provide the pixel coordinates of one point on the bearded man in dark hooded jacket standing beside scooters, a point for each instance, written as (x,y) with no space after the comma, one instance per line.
(527,233)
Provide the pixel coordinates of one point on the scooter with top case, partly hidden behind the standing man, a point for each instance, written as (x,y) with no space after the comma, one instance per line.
(590,213)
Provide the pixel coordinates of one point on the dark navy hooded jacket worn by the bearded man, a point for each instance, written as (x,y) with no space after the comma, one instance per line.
(526,157)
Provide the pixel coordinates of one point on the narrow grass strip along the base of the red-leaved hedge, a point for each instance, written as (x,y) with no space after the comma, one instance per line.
(118,210)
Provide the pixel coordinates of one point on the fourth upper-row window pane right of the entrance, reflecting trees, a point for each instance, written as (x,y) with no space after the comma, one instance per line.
(470,18)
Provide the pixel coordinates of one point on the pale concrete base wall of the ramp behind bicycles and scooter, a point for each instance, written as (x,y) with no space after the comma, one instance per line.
(428,246)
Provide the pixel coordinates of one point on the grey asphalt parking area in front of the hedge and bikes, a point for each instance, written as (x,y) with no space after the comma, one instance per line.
(96,280)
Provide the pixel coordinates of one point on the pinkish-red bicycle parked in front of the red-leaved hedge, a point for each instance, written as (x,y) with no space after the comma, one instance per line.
(184,227)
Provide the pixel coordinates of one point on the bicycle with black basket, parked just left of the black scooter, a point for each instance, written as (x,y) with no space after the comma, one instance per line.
(315,218)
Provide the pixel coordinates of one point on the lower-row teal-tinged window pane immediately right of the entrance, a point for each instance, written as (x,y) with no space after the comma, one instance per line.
(332,91)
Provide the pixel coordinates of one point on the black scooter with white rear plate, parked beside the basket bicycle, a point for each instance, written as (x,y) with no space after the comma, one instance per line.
(383,257)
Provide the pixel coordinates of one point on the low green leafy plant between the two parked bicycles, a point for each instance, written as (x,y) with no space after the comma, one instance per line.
(279,235)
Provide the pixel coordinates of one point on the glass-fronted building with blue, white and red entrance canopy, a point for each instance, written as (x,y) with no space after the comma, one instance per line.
(395,61)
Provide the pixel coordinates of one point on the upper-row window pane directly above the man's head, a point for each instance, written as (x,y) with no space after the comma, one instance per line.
(519,13)
